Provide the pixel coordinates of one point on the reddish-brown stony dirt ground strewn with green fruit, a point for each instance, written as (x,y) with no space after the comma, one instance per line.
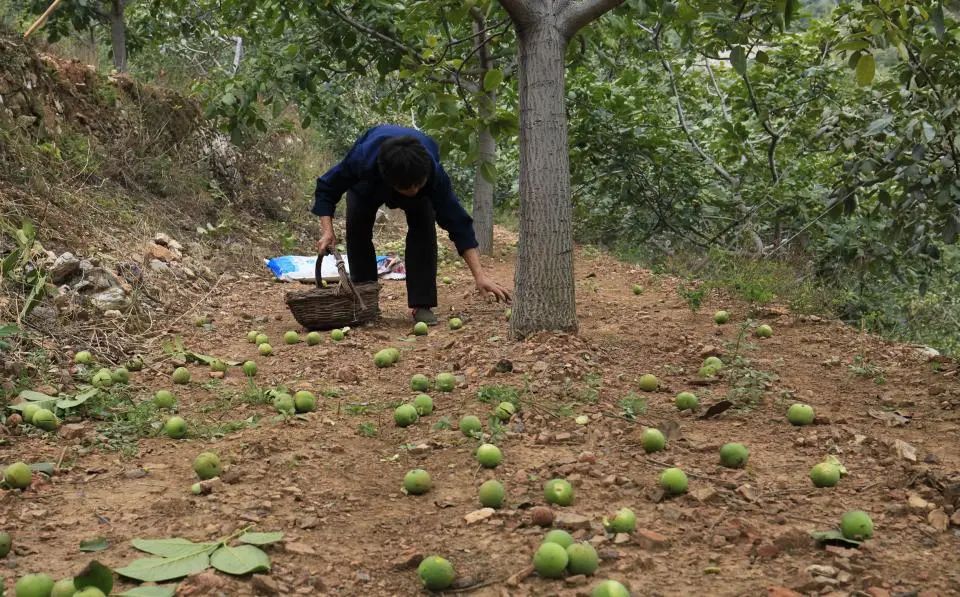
(349,530)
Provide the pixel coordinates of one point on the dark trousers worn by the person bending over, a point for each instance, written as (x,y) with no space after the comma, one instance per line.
(421,250)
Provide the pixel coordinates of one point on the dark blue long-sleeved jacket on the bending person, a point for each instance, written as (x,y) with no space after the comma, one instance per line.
(360,167)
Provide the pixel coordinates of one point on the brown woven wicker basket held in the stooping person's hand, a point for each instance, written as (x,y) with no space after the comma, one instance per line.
(335,306)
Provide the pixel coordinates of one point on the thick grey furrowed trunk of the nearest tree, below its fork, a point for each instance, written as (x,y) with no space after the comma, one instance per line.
(545,298)
